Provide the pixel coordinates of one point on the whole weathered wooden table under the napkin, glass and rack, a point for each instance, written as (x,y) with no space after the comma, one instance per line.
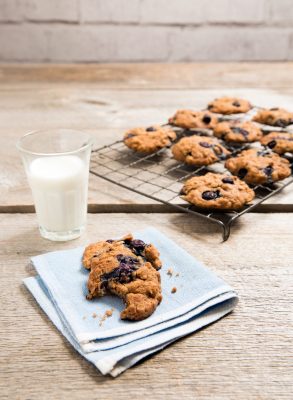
(247,355)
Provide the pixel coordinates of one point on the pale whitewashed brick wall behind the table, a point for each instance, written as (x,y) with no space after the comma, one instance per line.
(145,30)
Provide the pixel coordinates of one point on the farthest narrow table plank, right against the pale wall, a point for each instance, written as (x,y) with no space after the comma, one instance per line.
(154,76)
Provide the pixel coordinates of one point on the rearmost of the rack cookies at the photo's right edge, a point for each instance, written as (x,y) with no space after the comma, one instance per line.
(274,117)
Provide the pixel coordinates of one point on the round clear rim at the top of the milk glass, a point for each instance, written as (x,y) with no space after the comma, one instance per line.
(20,148)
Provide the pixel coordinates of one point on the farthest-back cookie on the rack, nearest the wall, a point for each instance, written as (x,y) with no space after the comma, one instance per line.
(229,105)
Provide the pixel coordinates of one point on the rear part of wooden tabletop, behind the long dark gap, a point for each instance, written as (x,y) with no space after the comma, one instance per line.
(105,100)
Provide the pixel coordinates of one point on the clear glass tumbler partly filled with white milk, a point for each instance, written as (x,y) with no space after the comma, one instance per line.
(57,167)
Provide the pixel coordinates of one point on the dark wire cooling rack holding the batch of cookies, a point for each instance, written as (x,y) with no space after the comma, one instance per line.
(160,177)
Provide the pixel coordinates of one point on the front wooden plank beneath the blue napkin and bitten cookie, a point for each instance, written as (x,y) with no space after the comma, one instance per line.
(246,356)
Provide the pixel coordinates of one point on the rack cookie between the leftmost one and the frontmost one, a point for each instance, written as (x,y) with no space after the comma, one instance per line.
(199,150)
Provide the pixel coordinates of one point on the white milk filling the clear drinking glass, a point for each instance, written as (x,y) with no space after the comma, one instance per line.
(59,186)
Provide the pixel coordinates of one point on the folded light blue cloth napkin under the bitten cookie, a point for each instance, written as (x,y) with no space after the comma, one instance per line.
(115,345)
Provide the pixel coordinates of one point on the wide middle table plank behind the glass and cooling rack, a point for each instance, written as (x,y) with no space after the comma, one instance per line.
(106,114)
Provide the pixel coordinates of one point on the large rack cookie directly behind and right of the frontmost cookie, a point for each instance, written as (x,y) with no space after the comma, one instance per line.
(257,166)
